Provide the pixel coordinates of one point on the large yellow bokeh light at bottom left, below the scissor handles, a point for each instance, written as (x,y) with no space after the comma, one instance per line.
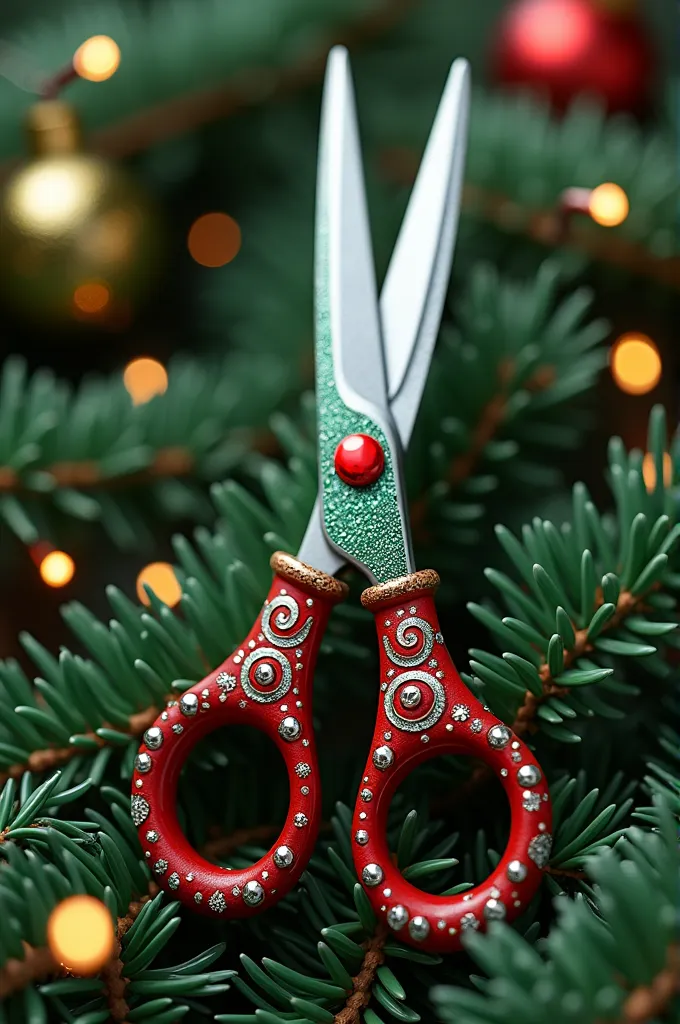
(80,934)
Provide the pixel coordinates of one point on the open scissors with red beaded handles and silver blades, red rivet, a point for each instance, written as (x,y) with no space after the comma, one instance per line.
(372,363)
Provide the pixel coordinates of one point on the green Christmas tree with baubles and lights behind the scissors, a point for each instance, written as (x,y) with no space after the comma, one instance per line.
(158,439)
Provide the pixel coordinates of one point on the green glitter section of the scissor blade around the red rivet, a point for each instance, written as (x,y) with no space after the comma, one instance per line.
(364,522)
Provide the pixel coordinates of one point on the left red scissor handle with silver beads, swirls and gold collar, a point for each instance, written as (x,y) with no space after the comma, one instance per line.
(266,684)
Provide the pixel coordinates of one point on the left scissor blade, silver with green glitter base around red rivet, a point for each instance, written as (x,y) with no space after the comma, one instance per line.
(366,525)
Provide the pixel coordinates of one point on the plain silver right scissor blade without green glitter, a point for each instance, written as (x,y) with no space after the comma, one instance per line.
(416,283)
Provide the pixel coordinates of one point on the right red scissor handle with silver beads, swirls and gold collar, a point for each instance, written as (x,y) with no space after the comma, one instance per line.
(427,710)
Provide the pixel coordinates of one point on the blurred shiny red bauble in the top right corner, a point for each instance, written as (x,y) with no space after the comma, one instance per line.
(568,48)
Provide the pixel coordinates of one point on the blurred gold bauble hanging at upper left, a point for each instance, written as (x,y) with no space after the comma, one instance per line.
(79,239)
